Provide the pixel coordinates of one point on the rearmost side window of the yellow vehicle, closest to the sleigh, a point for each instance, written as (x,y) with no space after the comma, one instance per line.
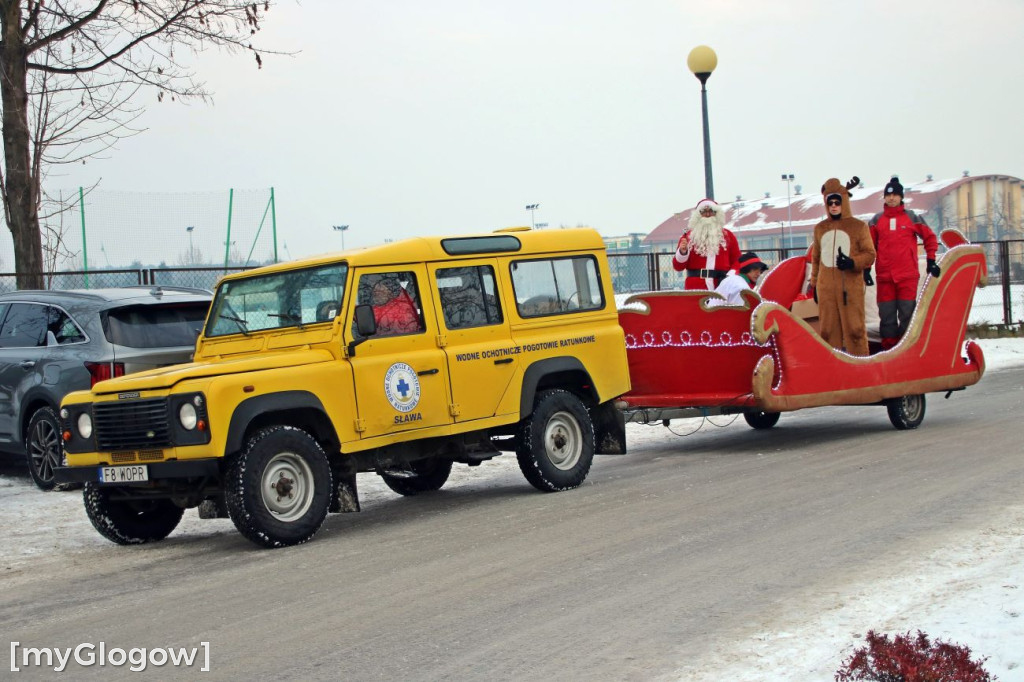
(557,286)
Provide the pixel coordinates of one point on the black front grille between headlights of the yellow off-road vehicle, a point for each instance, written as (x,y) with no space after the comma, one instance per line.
(132,424)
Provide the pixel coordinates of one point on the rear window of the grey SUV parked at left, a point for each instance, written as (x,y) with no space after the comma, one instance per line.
(155,326)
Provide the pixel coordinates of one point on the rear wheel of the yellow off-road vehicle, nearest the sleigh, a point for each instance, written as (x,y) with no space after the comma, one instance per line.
(556,445)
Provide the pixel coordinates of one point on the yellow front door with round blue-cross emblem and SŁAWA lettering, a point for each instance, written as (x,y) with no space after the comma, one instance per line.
(400,374)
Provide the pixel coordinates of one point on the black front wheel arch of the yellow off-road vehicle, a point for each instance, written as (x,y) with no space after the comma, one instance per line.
(300,409)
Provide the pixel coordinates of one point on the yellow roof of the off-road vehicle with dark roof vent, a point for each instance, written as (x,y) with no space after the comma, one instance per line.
(430,249)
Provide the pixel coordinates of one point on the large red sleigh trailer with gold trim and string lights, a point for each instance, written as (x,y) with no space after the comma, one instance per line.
(689,358)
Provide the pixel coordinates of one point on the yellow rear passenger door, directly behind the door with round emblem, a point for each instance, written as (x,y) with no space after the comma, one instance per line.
(482,358)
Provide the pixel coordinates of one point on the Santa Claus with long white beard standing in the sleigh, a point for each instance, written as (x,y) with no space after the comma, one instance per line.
(707,251)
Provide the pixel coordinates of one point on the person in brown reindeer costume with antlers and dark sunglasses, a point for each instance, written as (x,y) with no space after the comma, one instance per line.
(842,251)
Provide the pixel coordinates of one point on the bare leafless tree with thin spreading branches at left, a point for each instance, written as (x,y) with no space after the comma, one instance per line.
(70,75)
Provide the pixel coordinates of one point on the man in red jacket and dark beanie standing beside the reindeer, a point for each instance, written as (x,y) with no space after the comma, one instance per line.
(895,233)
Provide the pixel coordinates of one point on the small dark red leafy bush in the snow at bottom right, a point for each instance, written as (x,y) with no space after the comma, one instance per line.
(906,659)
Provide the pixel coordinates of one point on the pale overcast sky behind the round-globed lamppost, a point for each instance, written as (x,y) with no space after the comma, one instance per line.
(403,117)
